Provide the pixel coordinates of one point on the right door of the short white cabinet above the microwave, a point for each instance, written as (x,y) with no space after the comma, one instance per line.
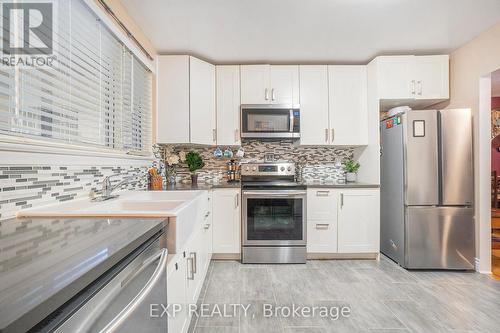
(284,84)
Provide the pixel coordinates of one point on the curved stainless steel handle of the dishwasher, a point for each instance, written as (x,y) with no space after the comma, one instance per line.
(160,271)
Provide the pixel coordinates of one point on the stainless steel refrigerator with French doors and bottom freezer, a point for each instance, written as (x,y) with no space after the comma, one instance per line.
(427,189)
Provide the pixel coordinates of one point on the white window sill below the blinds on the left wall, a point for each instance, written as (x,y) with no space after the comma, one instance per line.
(11,147)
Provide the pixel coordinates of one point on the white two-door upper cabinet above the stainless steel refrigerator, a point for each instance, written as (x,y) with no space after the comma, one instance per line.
(413,77)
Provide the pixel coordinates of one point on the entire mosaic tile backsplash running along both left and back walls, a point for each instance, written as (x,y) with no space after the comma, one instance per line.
(26,186)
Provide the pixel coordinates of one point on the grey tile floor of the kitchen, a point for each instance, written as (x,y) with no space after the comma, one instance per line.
(381,297)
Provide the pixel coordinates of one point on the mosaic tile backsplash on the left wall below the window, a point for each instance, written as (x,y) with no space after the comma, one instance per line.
(23,186)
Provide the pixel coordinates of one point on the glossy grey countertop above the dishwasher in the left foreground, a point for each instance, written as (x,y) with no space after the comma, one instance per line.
(46,261)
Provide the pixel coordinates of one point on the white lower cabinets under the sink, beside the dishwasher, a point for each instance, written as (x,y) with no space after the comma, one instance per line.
(187,270)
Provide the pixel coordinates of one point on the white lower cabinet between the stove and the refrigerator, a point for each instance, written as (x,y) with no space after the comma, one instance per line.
(343,220)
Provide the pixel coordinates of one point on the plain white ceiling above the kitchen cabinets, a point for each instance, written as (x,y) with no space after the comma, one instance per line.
(308,31)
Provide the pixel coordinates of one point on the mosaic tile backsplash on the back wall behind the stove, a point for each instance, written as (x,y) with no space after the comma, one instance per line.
(318,162)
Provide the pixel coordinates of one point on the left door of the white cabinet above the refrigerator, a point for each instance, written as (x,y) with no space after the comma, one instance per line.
(395,77)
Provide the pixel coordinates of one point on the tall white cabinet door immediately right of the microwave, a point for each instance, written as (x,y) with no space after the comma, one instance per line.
(314,120)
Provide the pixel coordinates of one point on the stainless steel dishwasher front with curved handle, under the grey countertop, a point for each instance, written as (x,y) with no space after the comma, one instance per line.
(120,300)
